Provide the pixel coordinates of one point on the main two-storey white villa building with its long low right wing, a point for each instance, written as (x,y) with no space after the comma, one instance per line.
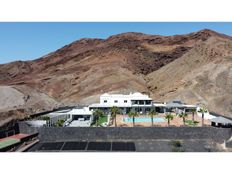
(139,102)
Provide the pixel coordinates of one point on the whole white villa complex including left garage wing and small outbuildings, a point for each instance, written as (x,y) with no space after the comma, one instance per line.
(138,102)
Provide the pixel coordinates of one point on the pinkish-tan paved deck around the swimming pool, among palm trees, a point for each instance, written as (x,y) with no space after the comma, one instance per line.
(175,122)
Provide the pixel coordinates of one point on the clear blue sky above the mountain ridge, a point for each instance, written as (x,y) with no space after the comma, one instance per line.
(28,40)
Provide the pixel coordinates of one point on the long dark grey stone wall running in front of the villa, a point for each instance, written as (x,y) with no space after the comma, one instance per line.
(132,133)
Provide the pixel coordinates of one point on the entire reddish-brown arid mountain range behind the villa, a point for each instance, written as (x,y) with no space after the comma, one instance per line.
(195,68)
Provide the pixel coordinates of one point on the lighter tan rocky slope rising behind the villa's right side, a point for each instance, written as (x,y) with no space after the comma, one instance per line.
(203,75)
